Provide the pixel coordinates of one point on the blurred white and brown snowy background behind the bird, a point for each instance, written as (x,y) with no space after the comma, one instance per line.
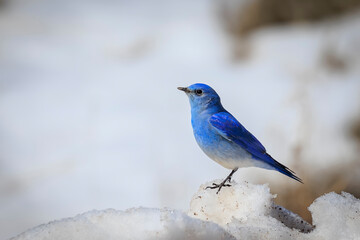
(90,117)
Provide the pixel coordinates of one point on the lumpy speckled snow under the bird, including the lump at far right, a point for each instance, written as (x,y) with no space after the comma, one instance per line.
(248,211)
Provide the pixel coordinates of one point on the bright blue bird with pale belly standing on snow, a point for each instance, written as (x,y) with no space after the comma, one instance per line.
(223,139)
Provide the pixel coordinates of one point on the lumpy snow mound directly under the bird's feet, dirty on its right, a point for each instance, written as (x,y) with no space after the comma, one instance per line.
(247,210)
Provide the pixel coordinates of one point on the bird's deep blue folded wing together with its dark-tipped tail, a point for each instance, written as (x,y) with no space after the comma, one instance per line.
(229,128)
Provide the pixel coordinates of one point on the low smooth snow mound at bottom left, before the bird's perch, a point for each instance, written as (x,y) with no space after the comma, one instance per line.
(136,223)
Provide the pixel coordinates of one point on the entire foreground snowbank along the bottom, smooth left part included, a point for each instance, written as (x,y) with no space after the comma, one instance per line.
(243,211)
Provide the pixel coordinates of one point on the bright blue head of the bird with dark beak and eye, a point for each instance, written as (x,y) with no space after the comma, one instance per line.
(202,97)
